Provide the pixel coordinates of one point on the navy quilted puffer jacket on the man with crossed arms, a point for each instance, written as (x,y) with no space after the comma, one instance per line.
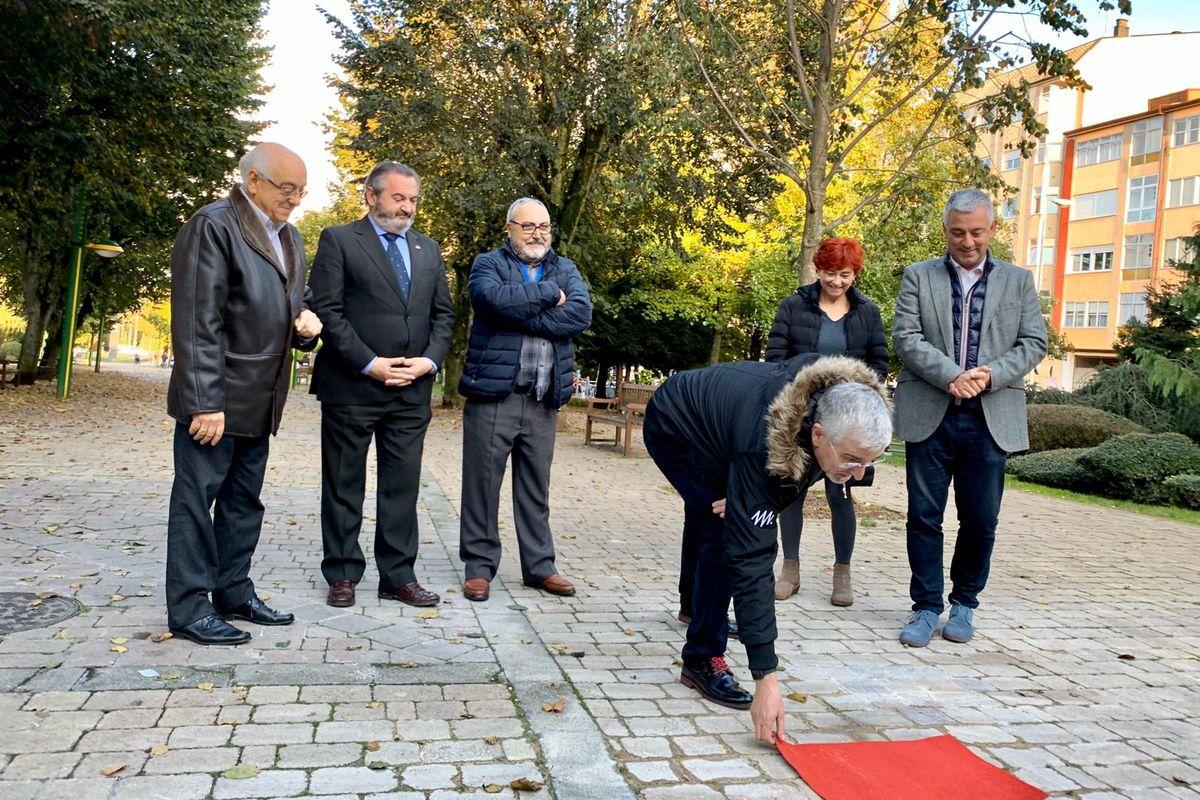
(508,308)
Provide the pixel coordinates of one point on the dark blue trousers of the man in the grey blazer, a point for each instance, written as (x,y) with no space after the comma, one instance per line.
(963,452)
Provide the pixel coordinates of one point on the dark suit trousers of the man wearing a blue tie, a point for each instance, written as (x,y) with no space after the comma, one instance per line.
(346,431)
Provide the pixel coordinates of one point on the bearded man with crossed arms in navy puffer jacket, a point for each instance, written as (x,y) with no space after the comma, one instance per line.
(530,304)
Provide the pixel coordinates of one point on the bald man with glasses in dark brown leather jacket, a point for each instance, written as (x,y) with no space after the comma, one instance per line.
(237,308)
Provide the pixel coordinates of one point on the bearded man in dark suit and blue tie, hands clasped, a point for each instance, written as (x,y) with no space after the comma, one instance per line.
(381,292)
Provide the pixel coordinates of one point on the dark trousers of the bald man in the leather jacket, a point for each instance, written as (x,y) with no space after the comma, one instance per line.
(209,550)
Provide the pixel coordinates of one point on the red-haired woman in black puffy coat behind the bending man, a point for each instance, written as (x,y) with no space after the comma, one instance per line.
(830,317)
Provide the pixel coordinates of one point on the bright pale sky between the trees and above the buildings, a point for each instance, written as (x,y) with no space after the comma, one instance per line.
(303,51)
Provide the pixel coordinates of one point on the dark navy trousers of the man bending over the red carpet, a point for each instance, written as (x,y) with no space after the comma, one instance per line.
(705,575)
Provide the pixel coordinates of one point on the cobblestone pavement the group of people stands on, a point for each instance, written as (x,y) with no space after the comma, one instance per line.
(1084,679)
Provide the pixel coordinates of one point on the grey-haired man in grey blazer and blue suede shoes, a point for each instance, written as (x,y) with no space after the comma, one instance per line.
(968,328)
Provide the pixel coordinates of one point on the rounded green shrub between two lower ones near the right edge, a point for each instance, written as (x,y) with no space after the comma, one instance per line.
(1136,465)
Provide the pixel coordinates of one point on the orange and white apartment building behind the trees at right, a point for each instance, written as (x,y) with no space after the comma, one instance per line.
(1093,213)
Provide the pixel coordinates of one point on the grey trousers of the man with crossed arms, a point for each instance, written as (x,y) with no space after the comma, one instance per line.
(491,431)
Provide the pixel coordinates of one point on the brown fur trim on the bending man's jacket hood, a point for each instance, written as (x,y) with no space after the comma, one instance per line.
(787,455)
